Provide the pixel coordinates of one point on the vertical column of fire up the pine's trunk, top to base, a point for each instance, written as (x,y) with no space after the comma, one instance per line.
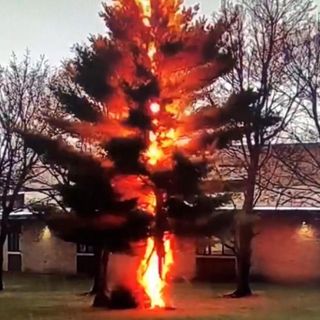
(158,258)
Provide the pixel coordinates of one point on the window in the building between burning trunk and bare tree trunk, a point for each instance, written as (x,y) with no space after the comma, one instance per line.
(212,246)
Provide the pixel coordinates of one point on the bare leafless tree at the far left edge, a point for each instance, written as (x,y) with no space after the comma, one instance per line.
(24,96)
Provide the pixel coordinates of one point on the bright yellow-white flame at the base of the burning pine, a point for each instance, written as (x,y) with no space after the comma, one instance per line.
(153,270)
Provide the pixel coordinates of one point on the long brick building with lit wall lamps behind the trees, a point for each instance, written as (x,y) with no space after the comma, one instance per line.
(285,248)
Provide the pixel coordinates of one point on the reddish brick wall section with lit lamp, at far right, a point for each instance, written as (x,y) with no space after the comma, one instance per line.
(287,249)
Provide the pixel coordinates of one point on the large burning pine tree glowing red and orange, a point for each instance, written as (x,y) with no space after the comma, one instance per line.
(128,99)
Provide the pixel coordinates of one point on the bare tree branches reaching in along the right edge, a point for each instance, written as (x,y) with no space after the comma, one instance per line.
(301,161)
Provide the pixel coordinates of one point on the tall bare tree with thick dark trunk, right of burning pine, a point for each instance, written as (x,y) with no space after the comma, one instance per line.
(260,40)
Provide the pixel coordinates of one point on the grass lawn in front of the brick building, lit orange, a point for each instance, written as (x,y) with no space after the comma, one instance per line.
(52,298)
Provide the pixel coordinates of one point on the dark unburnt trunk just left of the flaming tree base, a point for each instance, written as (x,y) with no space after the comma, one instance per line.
(102,299)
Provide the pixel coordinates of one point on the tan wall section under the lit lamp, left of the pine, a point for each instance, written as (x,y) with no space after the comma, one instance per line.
(44,253)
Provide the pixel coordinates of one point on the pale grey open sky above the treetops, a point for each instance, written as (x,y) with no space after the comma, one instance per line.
(52,27)
